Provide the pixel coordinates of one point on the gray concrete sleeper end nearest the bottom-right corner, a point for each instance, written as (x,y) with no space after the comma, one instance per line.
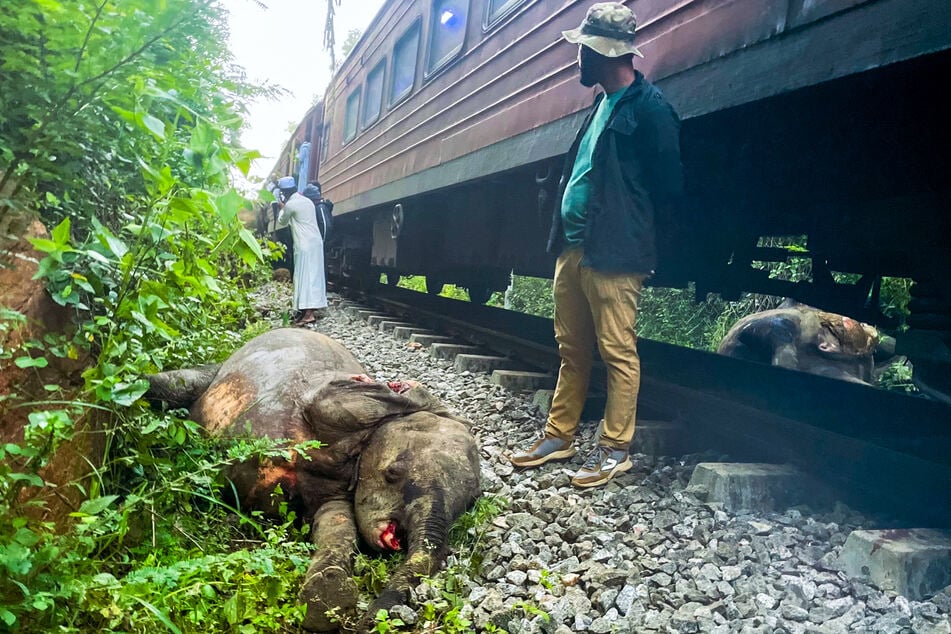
(915,563)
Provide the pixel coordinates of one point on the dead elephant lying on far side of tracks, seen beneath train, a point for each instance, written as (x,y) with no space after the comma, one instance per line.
(800,337)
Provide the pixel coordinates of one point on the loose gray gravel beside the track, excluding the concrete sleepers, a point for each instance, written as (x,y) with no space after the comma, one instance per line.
(640,554)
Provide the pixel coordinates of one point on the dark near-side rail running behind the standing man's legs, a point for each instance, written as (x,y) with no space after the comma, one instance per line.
(879,451)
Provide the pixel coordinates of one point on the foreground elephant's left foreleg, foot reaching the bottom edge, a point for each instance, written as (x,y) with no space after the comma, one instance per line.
(328,584)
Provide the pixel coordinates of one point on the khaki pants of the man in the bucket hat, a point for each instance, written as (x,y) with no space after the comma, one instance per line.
(593,307)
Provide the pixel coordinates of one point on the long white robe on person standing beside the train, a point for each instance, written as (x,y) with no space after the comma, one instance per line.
(310,285)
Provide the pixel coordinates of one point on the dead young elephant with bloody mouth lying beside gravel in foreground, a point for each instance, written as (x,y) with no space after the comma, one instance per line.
(397,468)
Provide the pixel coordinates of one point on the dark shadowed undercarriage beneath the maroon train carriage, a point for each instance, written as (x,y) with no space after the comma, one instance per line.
(857,168)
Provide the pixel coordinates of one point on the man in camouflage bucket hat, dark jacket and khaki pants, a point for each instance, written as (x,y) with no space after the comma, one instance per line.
(622,177)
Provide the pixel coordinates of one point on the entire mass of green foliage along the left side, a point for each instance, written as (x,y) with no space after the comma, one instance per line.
(118,122)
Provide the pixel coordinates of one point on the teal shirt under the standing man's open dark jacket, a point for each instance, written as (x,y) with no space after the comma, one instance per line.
(574,205)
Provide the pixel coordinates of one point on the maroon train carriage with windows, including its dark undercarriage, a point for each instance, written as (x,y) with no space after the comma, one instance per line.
(441,138)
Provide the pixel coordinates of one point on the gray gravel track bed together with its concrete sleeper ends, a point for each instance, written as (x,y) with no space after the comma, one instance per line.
(687,540)
